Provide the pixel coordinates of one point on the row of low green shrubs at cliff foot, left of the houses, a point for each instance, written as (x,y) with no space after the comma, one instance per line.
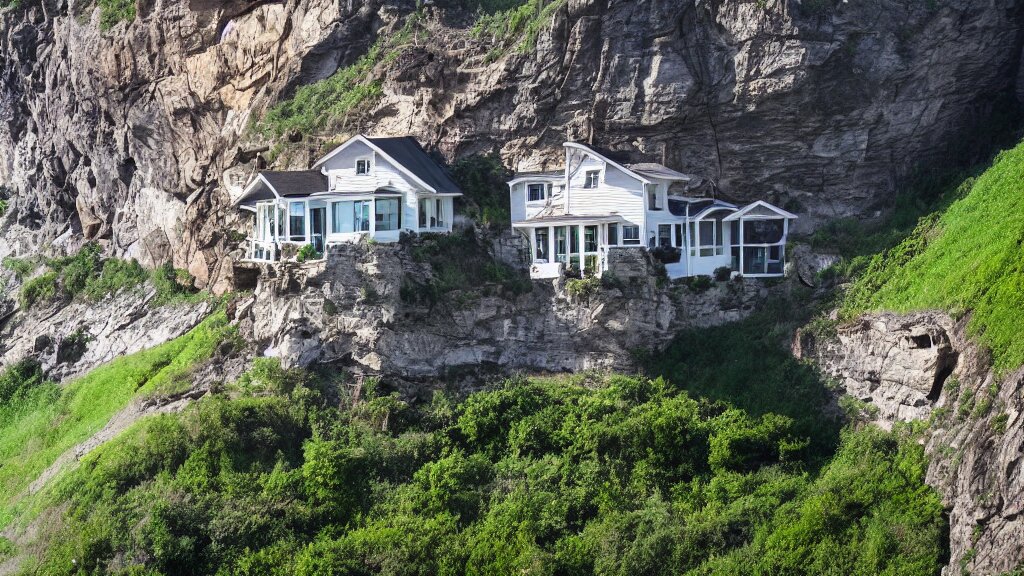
(88,274)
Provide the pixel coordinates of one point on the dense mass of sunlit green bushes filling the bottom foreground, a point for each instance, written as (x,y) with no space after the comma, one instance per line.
(586,476)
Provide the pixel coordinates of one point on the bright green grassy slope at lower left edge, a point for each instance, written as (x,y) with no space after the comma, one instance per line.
(37,428)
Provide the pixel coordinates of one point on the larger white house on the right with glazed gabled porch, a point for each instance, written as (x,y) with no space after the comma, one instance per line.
(575,217)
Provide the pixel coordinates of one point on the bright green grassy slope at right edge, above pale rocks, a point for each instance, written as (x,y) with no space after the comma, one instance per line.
(967,260)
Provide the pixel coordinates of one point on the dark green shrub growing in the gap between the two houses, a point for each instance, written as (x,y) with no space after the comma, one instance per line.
(482,179)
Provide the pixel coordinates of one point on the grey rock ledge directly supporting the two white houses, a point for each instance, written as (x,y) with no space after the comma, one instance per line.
(360,309)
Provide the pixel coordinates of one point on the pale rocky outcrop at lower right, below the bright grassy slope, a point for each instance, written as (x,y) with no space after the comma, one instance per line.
(924,367)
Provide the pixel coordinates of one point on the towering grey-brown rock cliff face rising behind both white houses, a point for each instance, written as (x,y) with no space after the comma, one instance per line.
(135,135)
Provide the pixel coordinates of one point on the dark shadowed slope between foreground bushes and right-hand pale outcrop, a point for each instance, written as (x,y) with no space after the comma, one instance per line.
(747,364)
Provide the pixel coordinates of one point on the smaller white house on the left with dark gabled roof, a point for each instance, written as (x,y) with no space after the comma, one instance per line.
(368,187)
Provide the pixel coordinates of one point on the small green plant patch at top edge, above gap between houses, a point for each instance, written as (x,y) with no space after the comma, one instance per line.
(517,27)
